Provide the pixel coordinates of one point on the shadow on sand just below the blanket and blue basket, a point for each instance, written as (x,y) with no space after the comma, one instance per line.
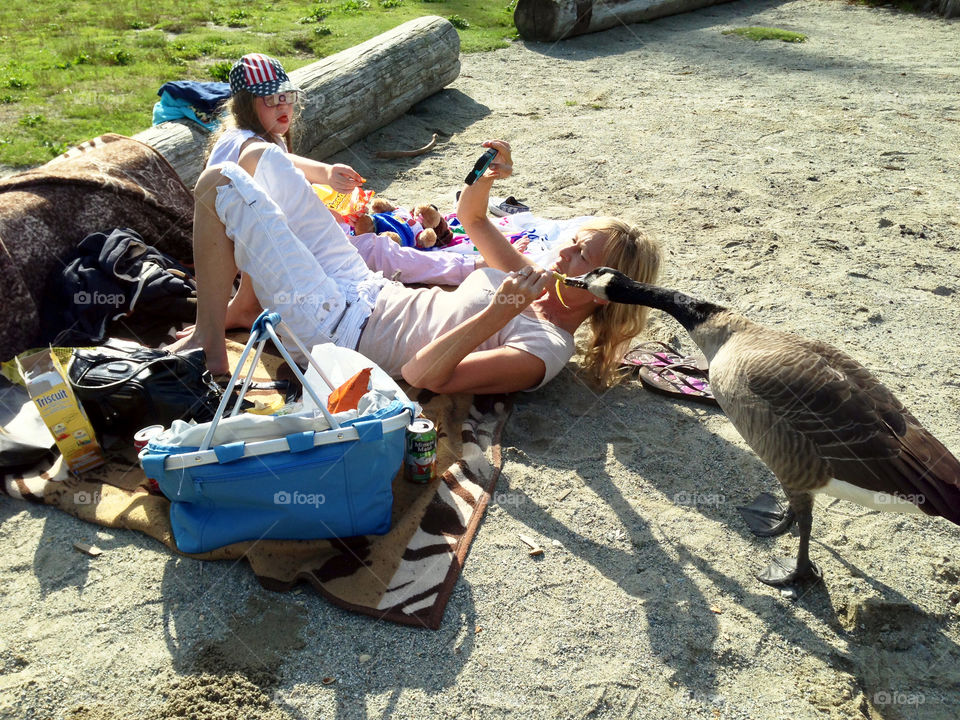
(283,645)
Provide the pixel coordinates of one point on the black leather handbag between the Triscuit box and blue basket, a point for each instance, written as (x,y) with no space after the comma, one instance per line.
(124,386)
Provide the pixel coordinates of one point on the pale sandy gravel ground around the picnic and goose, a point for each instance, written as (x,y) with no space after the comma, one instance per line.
(812,187)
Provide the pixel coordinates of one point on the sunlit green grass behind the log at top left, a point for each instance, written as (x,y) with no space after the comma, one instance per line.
(85,67)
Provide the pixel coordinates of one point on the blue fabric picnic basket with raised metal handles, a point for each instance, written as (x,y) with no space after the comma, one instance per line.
(301,484)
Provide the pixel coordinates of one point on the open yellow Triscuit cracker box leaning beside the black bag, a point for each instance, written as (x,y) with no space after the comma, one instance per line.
(47,385)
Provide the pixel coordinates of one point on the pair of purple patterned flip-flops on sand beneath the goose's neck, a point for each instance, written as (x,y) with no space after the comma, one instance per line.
(663,370)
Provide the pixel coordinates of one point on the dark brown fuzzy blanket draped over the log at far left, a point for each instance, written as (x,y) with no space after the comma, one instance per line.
(111,181)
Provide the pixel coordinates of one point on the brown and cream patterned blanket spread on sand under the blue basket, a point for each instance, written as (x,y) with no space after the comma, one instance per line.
(405,576)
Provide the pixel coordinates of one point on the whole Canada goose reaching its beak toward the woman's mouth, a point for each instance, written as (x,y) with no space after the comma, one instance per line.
(818,419)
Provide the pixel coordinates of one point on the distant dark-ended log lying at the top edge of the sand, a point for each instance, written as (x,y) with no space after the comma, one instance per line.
(549,20)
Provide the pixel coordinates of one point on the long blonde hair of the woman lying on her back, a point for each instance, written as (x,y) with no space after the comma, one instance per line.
(631,251)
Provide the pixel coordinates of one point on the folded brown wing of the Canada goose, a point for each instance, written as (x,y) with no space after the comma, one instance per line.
(857,425)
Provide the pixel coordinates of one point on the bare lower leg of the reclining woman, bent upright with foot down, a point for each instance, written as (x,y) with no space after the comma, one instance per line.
(216,269)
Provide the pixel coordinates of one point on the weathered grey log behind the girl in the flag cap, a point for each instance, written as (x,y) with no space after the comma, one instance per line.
(346,96)
